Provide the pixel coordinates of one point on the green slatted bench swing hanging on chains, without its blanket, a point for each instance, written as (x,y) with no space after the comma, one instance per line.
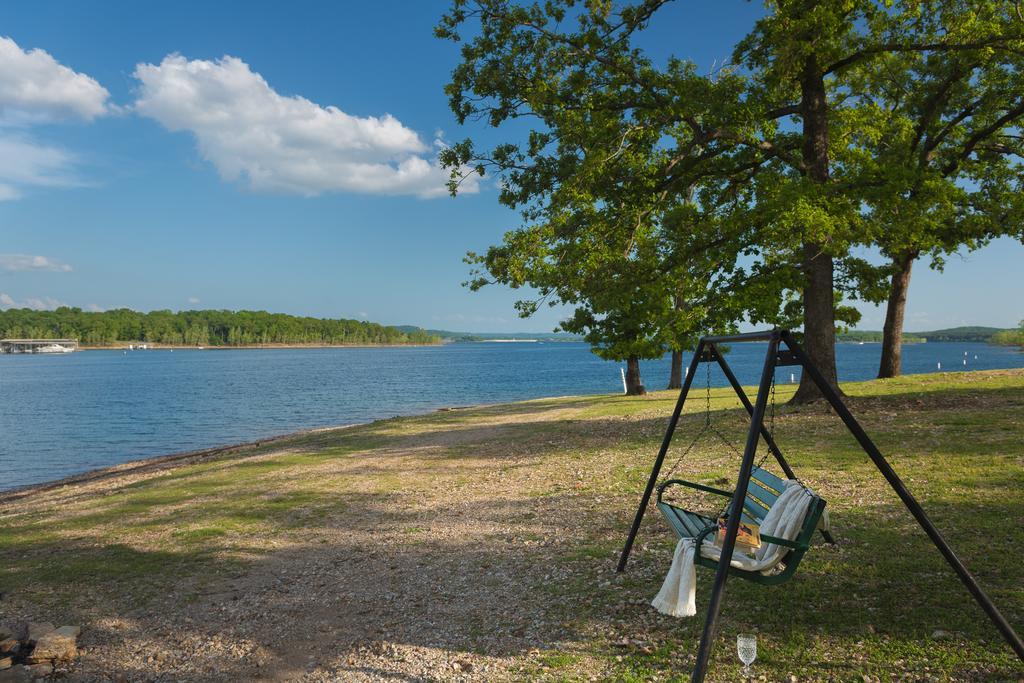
(763,491)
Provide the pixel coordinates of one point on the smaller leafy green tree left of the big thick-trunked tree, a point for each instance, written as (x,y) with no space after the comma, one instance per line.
(612,262)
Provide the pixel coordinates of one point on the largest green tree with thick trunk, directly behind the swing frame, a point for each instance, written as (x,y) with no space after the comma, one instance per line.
(769,147)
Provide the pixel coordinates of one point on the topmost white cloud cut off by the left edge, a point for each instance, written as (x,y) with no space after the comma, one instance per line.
(35,88)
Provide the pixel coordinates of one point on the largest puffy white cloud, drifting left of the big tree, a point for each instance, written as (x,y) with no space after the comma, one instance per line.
(285,144)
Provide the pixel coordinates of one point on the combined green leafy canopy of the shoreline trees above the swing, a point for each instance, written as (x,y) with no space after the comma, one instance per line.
(789,160)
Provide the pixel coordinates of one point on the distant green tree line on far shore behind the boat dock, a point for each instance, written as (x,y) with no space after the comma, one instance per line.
(199,328)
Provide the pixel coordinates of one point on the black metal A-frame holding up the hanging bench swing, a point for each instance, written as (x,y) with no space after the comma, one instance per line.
(777,357)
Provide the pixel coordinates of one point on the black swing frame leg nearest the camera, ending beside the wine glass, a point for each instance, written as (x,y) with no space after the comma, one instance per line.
(732,529)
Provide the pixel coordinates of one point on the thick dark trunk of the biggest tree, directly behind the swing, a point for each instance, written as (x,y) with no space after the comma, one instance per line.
(820,305)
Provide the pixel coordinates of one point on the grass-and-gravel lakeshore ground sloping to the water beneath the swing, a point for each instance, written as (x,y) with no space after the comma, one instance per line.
(481,544)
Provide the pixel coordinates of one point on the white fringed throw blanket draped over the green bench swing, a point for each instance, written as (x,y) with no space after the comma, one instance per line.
(784,521)
